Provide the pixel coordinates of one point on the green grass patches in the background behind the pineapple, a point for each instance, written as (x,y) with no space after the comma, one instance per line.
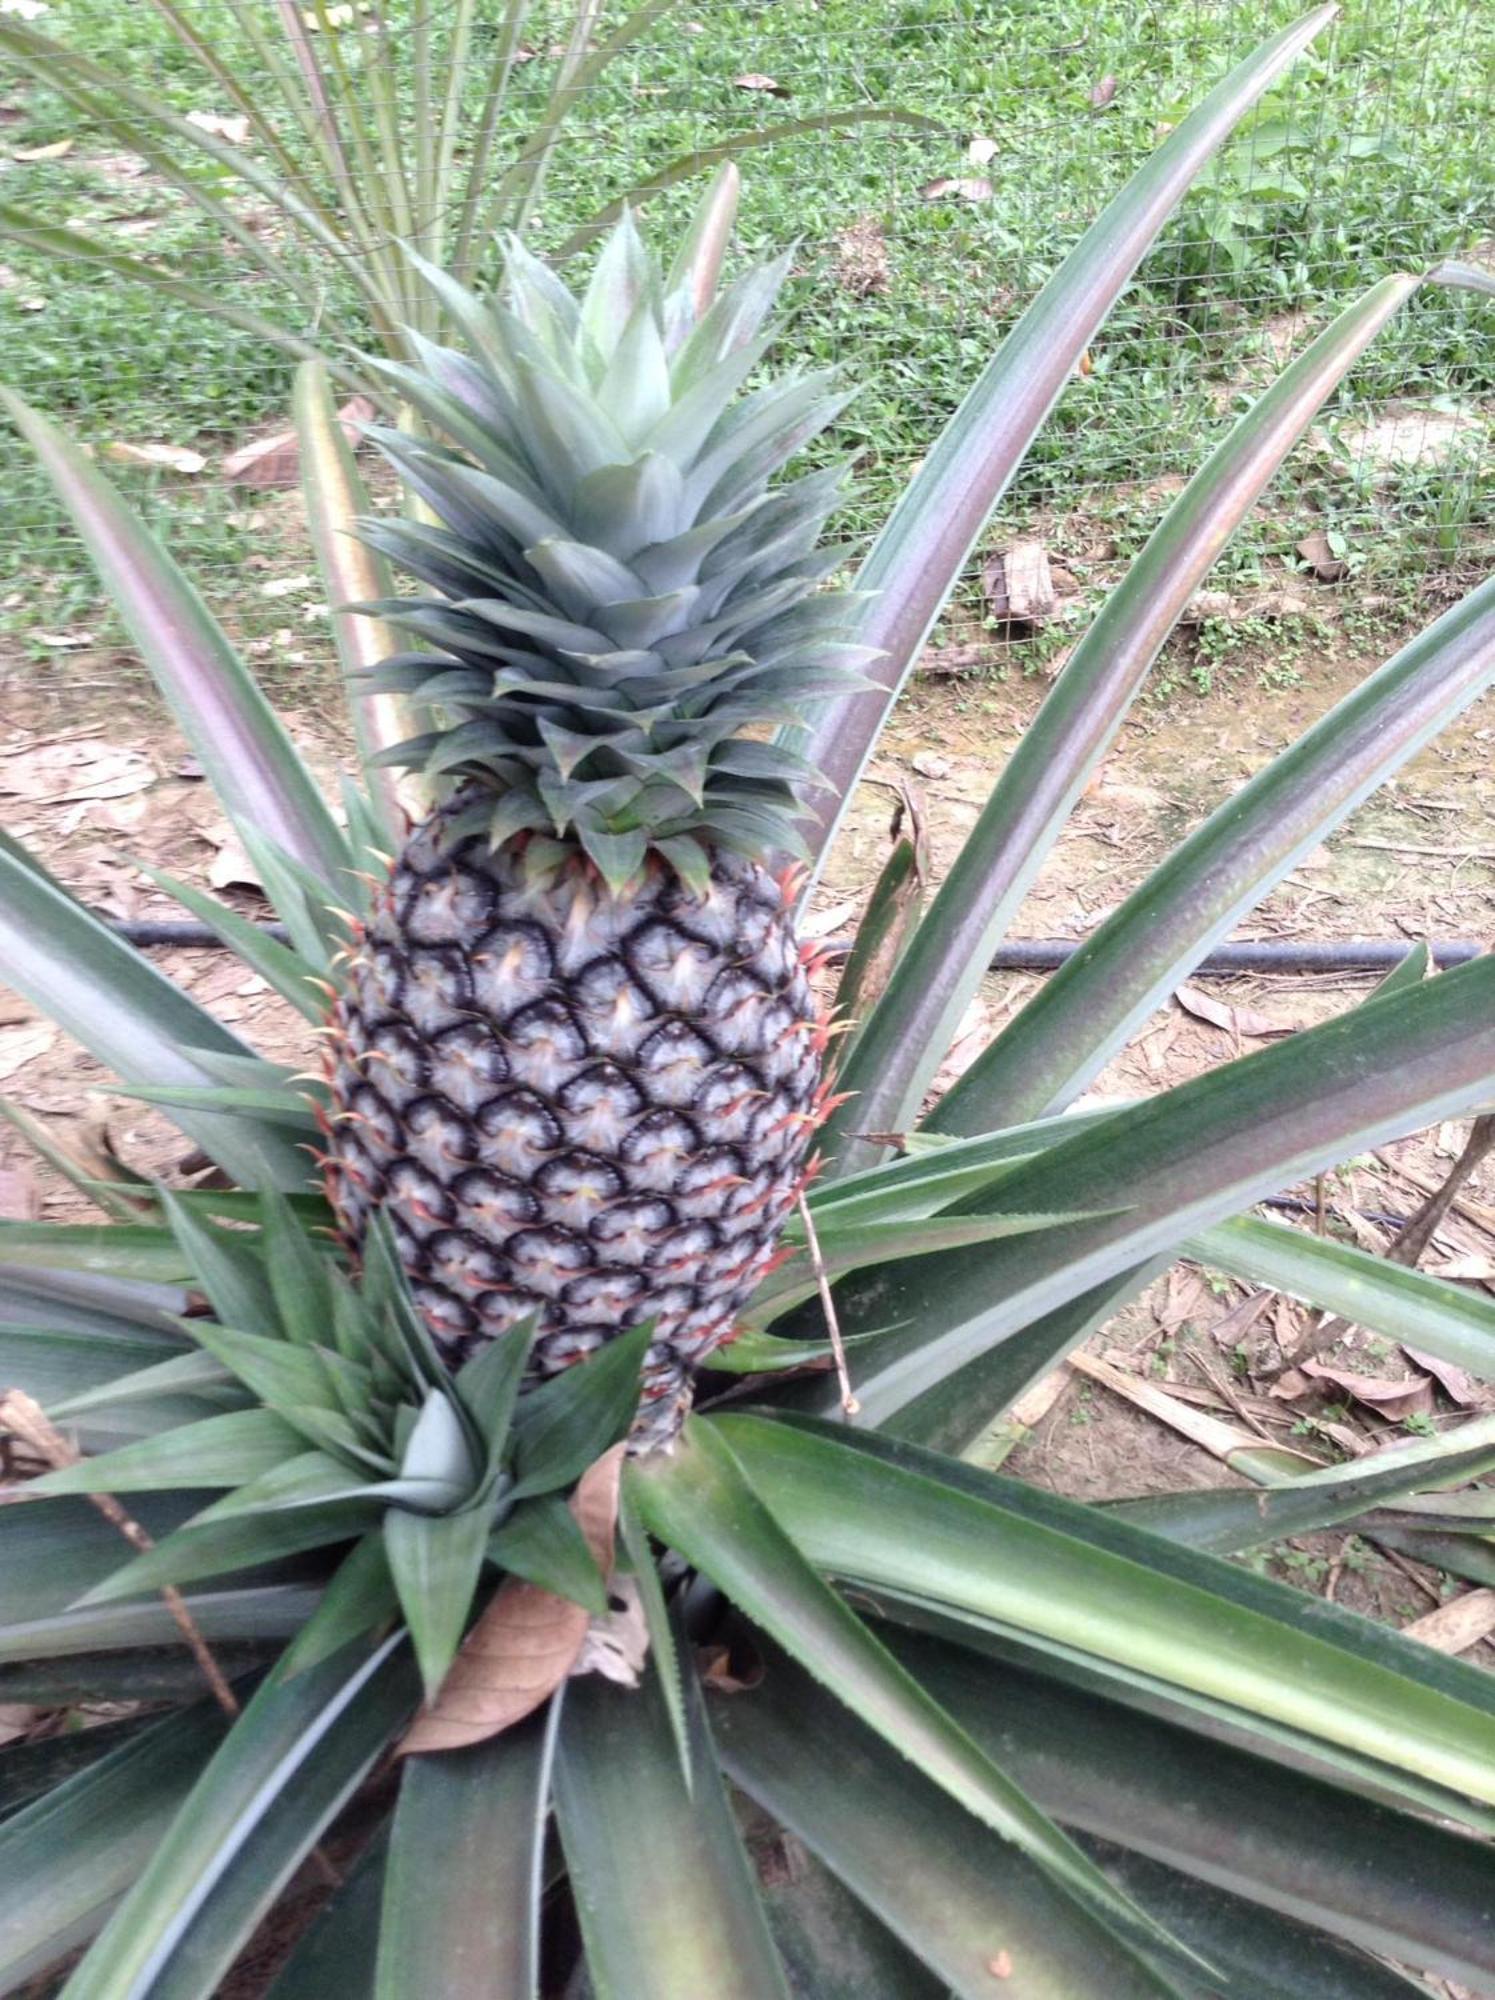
(1368,159)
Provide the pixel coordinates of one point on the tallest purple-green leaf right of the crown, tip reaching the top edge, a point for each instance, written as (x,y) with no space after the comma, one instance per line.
(920,553)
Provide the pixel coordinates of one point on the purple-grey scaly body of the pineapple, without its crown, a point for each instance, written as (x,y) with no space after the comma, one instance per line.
(585,1107)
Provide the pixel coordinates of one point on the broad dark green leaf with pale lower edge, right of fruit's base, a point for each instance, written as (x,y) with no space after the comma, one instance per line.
(1192,1157)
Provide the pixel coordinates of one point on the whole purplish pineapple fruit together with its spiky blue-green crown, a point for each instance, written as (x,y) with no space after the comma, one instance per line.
(577,1059)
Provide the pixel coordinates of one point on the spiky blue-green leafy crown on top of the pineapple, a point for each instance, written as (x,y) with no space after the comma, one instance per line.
(625,597)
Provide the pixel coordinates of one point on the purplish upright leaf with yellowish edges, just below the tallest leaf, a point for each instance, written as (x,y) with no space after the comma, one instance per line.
(906,1037)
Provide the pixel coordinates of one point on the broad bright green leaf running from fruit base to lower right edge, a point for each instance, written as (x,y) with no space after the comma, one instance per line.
(890,1517)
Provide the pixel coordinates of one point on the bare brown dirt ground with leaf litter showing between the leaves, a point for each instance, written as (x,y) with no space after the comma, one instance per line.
(101,787)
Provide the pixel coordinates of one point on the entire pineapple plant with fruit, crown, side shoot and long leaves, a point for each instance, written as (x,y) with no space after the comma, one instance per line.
(455,1629)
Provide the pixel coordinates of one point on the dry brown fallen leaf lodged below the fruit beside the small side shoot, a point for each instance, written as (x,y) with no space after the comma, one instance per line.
(527,1643)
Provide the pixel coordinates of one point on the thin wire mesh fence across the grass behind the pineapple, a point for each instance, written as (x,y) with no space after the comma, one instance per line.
(932,161)
